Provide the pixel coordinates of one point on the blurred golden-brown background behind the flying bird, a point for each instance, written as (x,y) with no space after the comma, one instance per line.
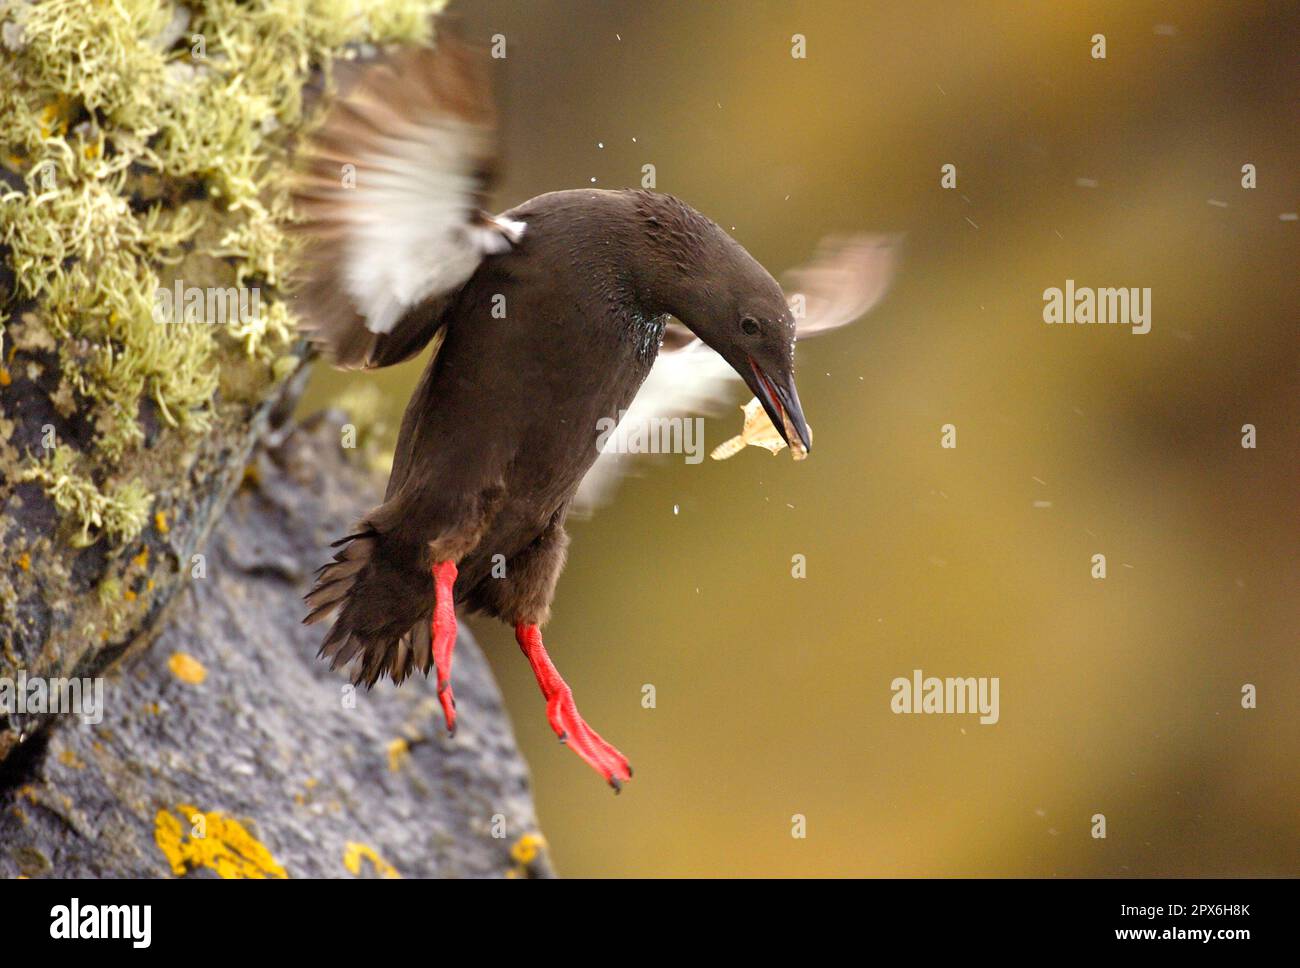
(1119,697)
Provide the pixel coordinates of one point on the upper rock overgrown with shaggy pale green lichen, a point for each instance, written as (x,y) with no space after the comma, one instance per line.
(144,146)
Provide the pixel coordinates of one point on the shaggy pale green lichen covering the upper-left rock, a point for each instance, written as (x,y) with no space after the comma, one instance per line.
(153,140)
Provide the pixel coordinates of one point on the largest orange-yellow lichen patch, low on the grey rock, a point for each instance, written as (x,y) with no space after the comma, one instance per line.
(214,841)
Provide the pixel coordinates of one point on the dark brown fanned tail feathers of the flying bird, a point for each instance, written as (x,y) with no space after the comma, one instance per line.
(384,604)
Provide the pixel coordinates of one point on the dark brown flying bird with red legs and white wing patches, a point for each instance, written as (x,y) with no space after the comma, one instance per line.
(545,322)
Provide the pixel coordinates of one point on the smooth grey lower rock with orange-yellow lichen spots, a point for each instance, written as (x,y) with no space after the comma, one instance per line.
(228,749)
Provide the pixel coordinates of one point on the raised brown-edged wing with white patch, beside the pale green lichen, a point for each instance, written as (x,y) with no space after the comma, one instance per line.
(389,194)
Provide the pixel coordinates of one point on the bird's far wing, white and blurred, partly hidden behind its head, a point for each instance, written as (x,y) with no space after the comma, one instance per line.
(847,279)
